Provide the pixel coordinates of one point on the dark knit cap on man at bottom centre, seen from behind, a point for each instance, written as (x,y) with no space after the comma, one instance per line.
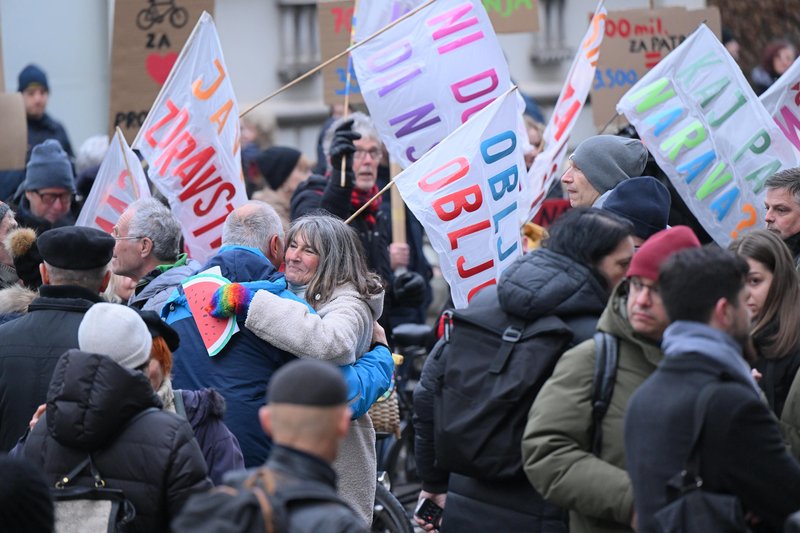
(308,382)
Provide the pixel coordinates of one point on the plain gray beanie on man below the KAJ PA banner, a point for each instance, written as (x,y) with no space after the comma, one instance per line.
(606,160)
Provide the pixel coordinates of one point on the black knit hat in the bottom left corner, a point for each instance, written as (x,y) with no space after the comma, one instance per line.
(25,501)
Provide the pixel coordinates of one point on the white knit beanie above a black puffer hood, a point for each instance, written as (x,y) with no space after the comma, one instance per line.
(116,331)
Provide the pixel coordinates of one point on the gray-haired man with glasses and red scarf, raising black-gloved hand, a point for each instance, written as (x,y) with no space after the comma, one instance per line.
(355,141)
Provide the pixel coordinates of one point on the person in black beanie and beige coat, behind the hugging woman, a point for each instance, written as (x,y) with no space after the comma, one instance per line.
(283,169)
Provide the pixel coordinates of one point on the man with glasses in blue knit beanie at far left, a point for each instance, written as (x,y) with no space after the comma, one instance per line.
(44,200)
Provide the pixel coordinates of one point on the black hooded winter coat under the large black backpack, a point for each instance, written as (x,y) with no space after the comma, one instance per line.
(542,283)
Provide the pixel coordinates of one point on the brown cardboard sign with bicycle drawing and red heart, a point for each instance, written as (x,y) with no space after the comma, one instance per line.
(147,38)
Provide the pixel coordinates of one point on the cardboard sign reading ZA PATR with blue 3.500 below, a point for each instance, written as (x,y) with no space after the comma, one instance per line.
(635,41)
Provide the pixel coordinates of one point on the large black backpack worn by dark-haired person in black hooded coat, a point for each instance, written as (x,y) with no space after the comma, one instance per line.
(494,366)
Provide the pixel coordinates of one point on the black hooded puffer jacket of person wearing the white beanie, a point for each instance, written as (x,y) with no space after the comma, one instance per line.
(155,460)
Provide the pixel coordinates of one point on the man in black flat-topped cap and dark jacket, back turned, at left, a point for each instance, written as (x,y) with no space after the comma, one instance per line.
(74,272)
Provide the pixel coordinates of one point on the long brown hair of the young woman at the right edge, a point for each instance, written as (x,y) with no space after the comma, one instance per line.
(781,310)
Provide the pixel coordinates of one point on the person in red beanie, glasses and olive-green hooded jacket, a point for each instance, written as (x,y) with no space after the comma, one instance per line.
(557,445)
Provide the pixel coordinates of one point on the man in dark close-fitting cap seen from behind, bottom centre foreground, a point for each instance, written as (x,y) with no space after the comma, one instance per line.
(307,416)
